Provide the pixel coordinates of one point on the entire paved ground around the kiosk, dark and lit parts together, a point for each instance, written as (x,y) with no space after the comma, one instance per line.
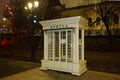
(20,70)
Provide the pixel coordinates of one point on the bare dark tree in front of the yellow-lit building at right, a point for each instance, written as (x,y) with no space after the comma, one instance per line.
(106,10)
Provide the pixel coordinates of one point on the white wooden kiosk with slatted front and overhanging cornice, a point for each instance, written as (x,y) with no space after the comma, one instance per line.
(64,45)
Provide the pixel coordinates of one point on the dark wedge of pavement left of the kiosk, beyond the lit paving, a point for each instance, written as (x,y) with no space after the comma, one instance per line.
(10,67)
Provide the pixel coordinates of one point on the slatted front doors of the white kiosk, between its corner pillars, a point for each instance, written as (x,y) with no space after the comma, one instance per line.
(60,46)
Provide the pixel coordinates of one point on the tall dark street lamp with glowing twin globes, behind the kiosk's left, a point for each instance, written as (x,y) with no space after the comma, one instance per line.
(33,20)
